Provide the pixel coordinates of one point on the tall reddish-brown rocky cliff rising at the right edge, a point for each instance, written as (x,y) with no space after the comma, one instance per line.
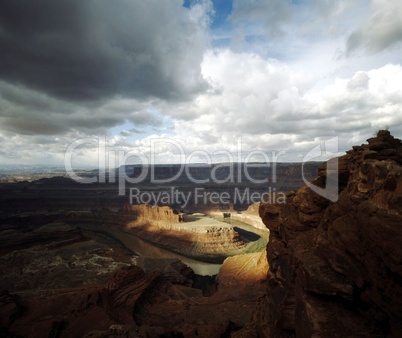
(335,267)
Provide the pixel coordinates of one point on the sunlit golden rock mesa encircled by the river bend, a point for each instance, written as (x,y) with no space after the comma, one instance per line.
(198,237)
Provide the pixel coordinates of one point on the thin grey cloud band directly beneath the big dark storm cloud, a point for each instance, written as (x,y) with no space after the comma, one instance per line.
(28,112)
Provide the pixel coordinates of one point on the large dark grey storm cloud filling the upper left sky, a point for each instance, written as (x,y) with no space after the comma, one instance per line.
(87,50)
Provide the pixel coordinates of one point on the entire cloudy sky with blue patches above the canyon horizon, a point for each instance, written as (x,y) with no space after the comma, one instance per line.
(201,78)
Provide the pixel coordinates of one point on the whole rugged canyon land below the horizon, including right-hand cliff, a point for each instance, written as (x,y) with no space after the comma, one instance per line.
(329,269)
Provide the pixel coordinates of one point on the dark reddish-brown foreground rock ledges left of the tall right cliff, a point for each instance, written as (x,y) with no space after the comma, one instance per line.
(132,303)
